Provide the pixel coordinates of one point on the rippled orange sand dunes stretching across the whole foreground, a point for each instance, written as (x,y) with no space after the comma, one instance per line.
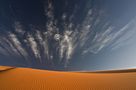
(34,79)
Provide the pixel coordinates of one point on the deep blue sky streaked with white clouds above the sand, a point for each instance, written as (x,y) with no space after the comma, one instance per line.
(68,34)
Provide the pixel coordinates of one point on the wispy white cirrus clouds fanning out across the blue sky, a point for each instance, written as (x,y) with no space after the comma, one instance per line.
(57,45)
